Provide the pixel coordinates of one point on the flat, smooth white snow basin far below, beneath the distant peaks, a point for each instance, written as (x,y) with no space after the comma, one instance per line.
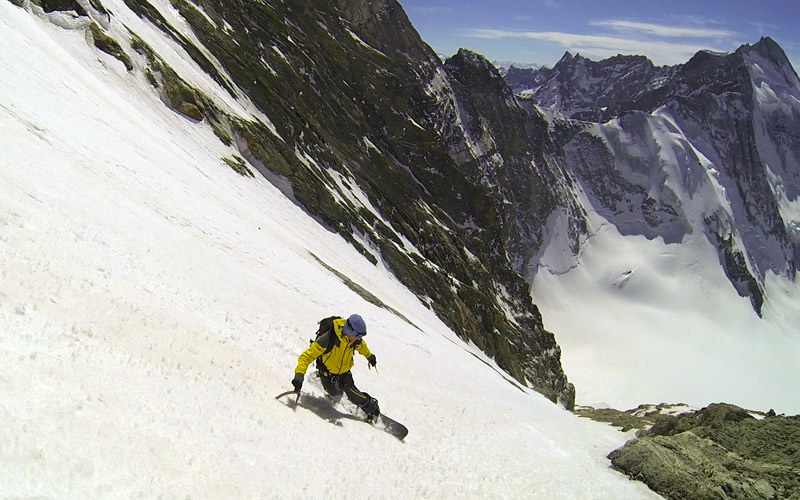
(639,321)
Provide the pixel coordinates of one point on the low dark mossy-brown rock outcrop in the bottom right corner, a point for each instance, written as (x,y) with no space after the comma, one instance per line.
(719,452)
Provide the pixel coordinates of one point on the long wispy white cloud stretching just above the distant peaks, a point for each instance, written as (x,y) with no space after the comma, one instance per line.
(660,52)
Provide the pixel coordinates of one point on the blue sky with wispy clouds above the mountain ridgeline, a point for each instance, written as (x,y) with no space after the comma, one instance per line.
(539,31)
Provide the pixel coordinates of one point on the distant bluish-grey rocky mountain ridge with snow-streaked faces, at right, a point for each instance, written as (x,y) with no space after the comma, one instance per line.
(709,146)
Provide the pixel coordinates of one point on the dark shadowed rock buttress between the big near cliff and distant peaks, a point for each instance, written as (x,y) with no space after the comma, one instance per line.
(510,151)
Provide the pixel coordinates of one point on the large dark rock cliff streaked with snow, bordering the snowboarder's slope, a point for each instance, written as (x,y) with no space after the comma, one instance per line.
(356,119)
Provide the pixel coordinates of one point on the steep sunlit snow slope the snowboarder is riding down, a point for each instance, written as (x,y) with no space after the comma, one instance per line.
(153,302)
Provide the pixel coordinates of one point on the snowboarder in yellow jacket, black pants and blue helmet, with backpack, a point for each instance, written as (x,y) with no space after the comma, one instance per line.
(334,349)
